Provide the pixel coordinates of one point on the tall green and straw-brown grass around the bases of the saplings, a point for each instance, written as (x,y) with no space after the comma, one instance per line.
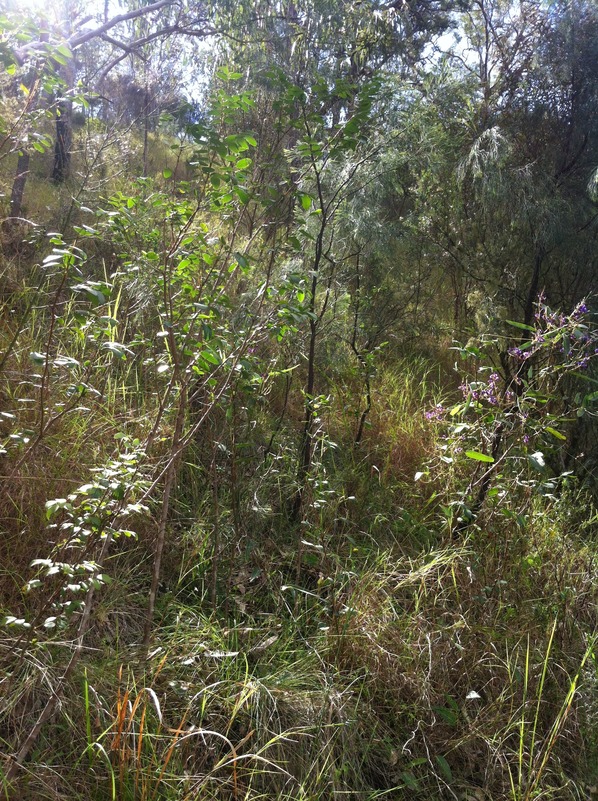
(376,660)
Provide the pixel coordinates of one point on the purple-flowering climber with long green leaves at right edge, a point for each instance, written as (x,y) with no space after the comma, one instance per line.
(520,400)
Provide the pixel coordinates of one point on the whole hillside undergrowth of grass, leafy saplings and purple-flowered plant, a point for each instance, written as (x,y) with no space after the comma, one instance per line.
(249,550)
